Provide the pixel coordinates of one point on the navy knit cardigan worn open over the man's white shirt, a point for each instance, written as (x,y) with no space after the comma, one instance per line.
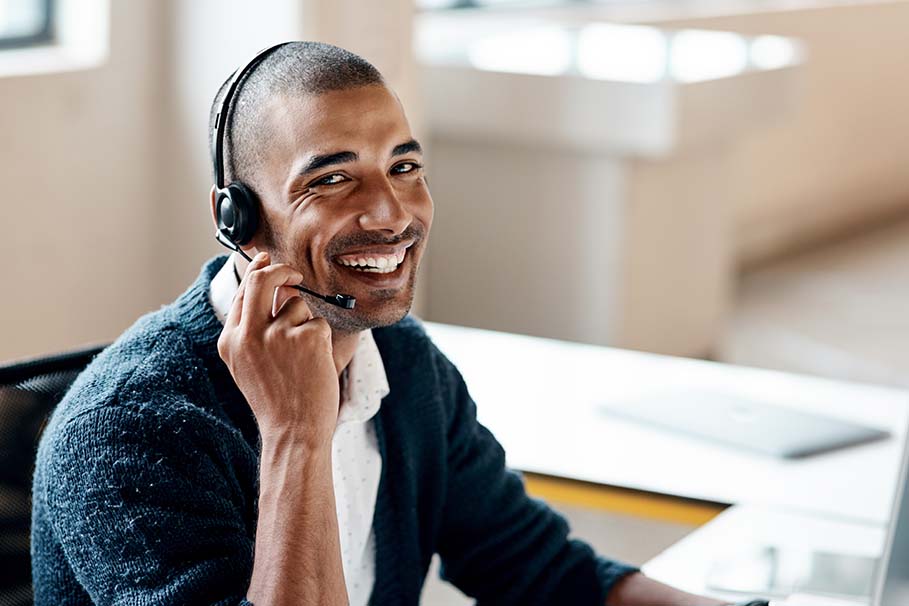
(146,486)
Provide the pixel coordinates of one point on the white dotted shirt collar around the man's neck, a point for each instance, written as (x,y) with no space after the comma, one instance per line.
(366,382)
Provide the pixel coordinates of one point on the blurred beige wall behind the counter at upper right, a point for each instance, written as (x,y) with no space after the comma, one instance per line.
(839,162)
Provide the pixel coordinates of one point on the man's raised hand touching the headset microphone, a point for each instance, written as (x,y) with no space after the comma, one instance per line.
(281,357)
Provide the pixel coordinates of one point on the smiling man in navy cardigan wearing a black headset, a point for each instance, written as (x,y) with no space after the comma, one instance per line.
(247,444)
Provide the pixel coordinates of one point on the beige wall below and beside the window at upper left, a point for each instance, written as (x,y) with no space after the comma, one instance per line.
(78,167)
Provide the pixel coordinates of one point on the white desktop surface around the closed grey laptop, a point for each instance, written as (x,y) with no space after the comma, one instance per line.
(539,398)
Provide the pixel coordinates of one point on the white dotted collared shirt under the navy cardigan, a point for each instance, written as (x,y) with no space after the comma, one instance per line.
(356,461)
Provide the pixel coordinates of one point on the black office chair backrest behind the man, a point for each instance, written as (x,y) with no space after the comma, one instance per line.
(29,390)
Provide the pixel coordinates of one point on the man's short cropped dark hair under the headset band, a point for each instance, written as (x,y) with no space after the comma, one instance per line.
(297,68)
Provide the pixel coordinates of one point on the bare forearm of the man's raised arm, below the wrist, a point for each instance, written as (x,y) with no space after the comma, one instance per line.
(298,553)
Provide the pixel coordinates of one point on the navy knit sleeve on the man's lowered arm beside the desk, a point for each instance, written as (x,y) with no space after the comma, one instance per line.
(497,544)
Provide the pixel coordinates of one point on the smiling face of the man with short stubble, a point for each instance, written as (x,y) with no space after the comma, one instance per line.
(344,201)
